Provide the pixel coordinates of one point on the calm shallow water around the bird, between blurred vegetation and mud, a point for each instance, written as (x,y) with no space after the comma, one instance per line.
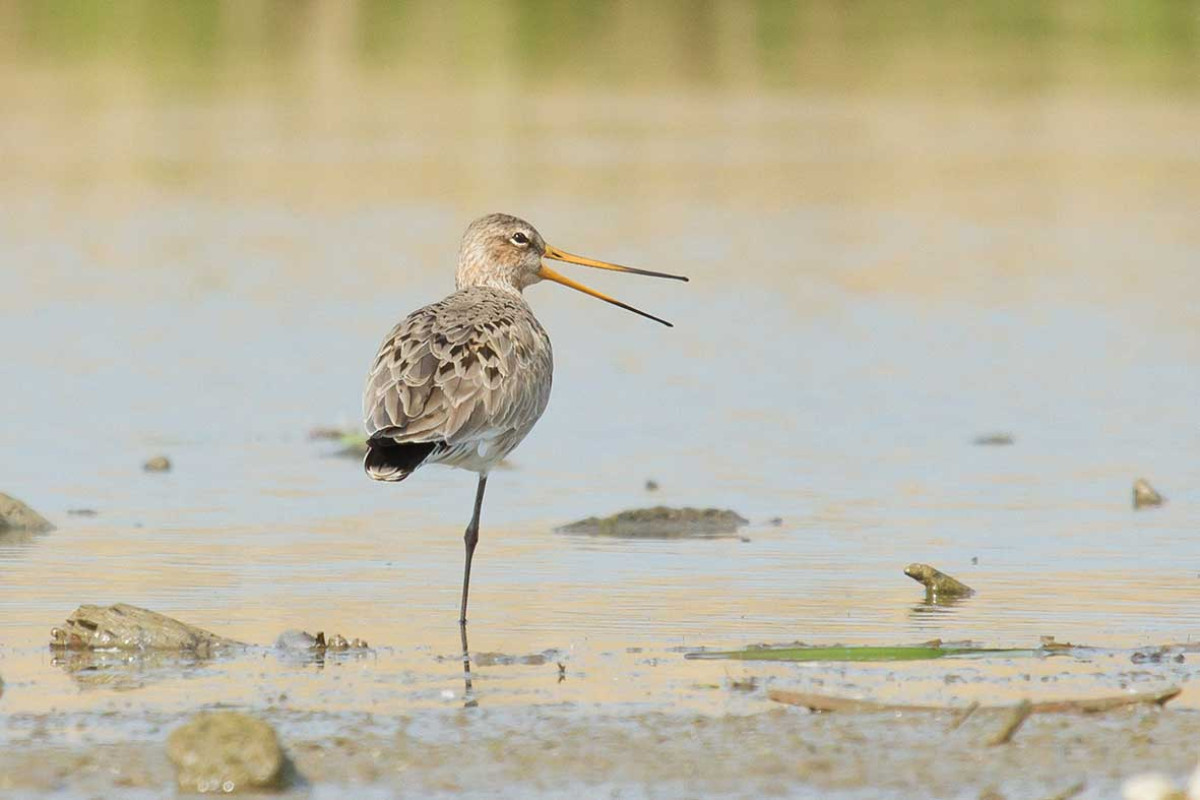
(879,278)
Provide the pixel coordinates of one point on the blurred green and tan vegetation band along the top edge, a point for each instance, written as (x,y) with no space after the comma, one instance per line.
(775,45)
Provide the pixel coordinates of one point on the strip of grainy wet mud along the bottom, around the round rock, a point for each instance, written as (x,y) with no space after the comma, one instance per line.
(542,750)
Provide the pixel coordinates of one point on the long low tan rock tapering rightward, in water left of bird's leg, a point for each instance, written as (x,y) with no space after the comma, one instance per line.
(129,628)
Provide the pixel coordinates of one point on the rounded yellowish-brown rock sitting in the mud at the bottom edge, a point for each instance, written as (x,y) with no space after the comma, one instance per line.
(225,753)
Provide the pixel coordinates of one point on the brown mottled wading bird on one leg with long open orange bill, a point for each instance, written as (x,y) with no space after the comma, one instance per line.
(463,382)
